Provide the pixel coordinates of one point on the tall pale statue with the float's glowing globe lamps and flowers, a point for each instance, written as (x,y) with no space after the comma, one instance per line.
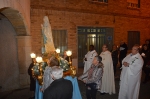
(49,50)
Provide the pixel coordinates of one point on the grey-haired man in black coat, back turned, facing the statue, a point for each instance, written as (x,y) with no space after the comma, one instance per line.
(60,88)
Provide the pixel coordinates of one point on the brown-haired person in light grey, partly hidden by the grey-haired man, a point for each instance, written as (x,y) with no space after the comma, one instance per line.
(47,80)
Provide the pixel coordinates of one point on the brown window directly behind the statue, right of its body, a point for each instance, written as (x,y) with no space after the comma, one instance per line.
(60,40)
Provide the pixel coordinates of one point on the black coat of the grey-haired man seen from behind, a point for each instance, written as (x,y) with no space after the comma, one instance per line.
(59,89)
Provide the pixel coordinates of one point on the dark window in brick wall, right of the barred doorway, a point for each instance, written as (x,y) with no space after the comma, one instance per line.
(133,38)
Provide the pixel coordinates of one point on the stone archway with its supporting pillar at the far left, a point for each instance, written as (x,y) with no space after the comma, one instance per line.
(23,47)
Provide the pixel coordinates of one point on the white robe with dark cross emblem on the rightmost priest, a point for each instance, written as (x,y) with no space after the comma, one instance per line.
(130,77)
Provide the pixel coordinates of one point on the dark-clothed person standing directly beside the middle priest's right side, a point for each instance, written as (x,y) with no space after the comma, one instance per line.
(114,54)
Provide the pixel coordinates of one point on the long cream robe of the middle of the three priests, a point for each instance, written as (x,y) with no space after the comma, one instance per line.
(108,83)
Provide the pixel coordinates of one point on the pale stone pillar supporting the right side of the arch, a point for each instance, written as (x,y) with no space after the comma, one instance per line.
(24,60)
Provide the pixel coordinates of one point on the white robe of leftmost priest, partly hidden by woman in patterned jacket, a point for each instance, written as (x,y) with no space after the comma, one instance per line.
(89,56)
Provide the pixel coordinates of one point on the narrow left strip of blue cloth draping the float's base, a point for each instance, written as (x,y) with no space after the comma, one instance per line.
(38,93)
